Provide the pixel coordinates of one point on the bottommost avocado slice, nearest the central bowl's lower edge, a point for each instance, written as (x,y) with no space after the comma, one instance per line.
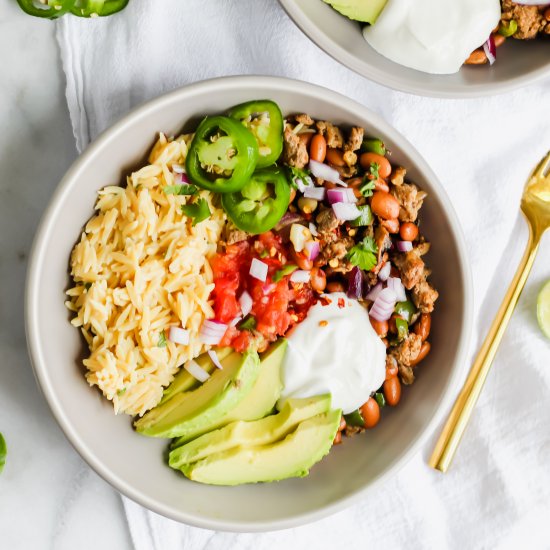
(291,457)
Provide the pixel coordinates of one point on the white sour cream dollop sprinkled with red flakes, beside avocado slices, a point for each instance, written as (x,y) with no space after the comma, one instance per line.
(335,350)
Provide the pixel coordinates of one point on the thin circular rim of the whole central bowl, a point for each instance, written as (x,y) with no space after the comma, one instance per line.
(38,254)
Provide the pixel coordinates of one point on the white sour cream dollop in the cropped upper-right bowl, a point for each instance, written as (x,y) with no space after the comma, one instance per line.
(433,36)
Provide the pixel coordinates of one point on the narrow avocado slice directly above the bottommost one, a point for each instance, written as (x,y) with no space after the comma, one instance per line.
(247,434)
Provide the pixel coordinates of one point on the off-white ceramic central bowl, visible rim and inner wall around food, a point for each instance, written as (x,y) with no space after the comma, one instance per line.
(135,465)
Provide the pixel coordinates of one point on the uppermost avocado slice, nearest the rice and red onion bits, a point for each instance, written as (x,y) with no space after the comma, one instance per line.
(192,413)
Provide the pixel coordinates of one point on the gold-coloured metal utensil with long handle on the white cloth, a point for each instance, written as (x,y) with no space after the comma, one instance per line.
(535,205)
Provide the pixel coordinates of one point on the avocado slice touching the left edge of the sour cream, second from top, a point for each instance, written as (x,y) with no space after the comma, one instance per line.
(263,396)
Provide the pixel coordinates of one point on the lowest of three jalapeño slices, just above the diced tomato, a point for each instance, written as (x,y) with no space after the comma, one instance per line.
(261,203)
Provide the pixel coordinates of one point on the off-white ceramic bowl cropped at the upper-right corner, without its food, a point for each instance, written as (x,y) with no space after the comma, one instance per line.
(518,64)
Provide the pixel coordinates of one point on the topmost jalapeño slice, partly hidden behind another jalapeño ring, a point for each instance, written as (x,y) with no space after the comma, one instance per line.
(265,120)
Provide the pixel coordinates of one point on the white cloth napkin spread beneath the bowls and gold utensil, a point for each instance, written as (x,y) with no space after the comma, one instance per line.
(497,494)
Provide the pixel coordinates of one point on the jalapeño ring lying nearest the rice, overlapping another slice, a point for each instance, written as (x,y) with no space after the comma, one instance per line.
(222,156)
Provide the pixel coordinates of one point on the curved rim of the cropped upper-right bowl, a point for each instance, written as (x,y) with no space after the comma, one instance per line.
(341,55)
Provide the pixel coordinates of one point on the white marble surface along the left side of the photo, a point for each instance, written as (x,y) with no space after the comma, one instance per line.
(49,498)
